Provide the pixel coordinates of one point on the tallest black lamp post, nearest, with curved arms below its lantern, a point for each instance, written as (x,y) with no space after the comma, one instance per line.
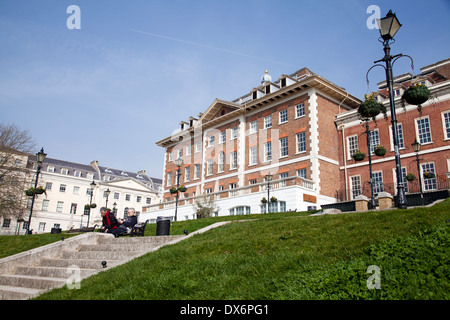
(389,26)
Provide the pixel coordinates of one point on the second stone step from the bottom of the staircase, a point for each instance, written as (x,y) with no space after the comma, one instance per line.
(33,282)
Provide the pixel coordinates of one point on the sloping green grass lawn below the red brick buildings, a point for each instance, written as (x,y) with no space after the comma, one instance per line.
(285,256)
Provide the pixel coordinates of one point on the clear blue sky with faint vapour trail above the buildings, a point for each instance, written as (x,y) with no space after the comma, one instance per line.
(135,69)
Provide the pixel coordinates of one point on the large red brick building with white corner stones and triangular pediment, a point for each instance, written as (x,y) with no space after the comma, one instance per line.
(280,136)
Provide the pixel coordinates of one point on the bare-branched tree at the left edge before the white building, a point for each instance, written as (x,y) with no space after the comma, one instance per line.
(15,146)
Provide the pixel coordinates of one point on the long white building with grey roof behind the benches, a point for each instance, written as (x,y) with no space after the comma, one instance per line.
(68,191)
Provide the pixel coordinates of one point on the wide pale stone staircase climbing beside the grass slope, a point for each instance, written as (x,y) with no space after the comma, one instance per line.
(29,274)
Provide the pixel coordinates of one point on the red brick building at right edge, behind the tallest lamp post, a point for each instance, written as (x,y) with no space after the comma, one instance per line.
(431,128)
